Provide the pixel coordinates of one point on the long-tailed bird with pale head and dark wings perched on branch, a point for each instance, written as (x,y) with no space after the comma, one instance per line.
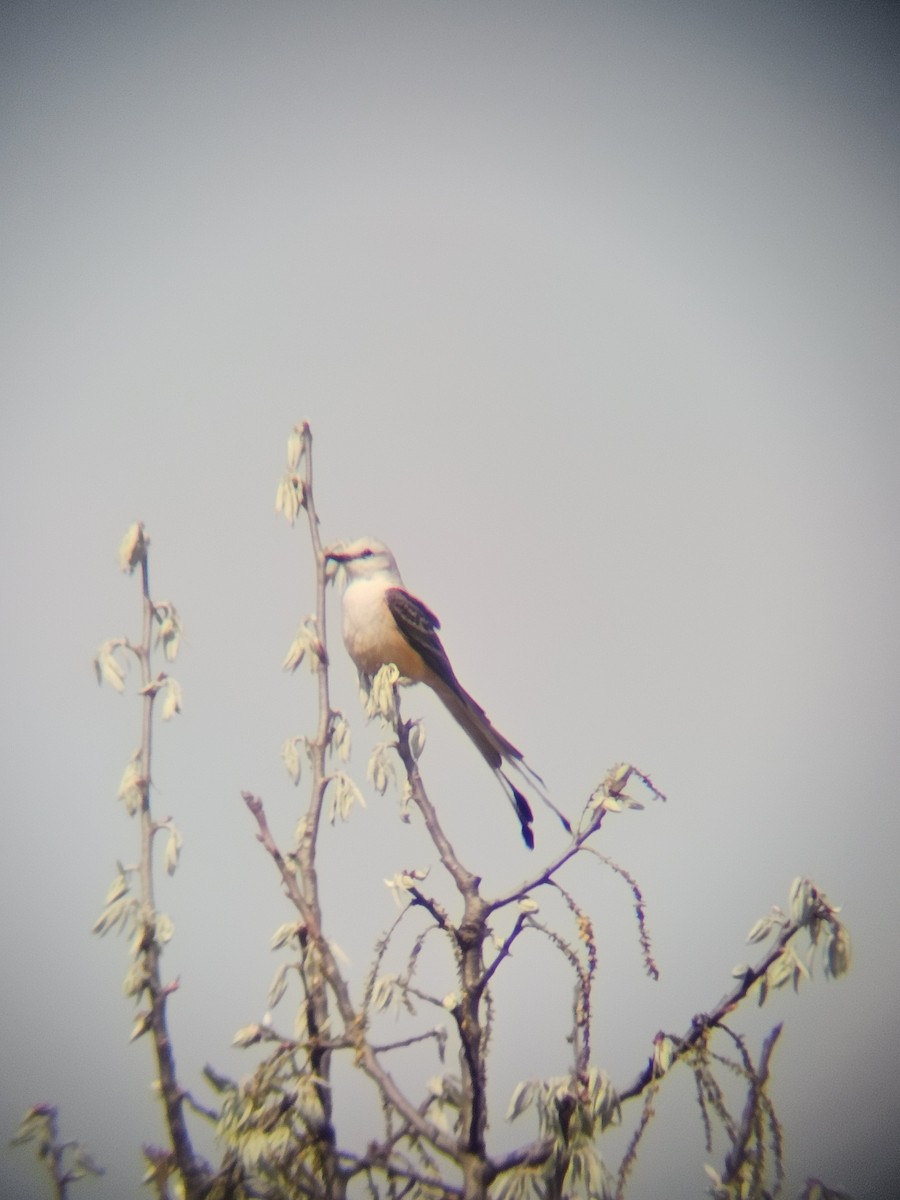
(385,623)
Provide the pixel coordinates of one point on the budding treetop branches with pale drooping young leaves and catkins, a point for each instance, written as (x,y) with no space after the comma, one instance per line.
(279,1123)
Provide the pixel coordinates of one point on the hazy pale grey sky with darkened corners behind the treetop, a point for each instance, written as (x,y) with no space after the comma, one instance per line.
(595,311)
